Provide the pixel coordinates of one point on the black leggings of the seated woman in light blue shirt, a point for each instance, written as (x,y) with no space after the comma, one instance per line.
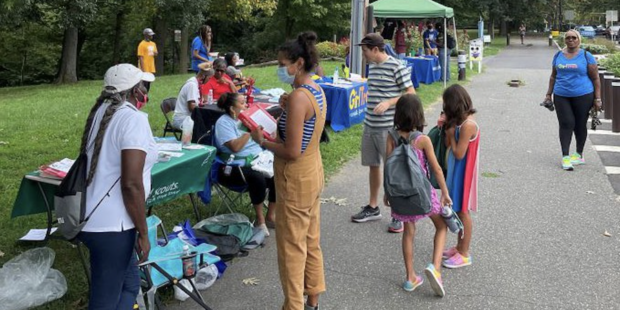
(257,183)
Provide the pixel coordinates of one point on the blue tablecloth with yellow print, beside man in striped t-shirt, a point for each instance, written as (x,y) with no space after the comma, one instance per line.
(346,104)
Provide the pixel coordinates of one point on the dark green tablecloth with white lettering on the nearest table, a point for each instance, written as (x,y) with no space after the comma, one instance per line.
(180,176)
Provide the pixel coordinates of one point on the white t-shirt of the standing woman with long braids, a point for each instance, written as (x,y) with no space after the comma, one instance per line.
(128,129)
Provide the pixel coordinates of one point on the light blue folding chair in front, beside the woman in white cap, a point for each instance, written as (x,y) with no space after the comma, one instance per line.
(165,266)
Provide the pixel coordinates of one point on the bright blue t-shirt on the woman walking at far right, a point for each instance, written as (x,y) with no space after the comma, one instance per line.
(571,79)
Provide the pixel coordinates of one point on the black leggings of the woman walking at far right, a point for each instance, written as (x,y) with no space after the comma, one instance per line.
(573,113)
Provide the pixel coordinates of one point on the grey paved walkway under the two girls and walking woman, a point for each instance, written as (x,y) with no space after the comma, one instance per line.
(538,236)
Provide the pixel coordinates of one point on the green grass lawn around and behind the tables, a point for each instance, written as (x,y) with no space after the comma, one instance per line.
(41,124)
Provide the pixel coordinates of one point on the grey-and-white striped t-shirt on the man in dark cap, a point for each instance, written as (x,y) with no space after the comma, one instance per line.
(386,80)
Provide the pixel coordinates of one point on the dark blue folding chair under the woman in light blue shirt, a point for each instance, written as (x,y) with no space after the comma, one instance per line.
(229,195)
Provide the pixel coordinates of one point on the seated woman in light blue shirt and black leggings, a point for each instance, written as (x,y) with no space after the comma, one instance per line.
(230,139)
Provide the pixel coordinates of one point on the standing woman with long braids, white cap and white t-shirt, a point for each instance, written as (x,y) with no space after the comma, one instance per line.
(121,152)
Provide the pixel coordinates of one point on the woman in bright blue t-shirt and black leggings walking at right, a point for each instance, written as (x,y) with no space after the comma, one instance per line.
(576,89)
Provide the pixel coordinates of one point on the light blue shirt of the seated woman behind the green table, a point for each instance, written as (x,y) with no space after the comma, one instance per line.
(227,129)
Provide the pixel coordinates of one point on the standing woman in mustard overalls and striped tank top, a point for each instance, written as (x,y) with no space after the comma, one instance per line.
(298,175)
